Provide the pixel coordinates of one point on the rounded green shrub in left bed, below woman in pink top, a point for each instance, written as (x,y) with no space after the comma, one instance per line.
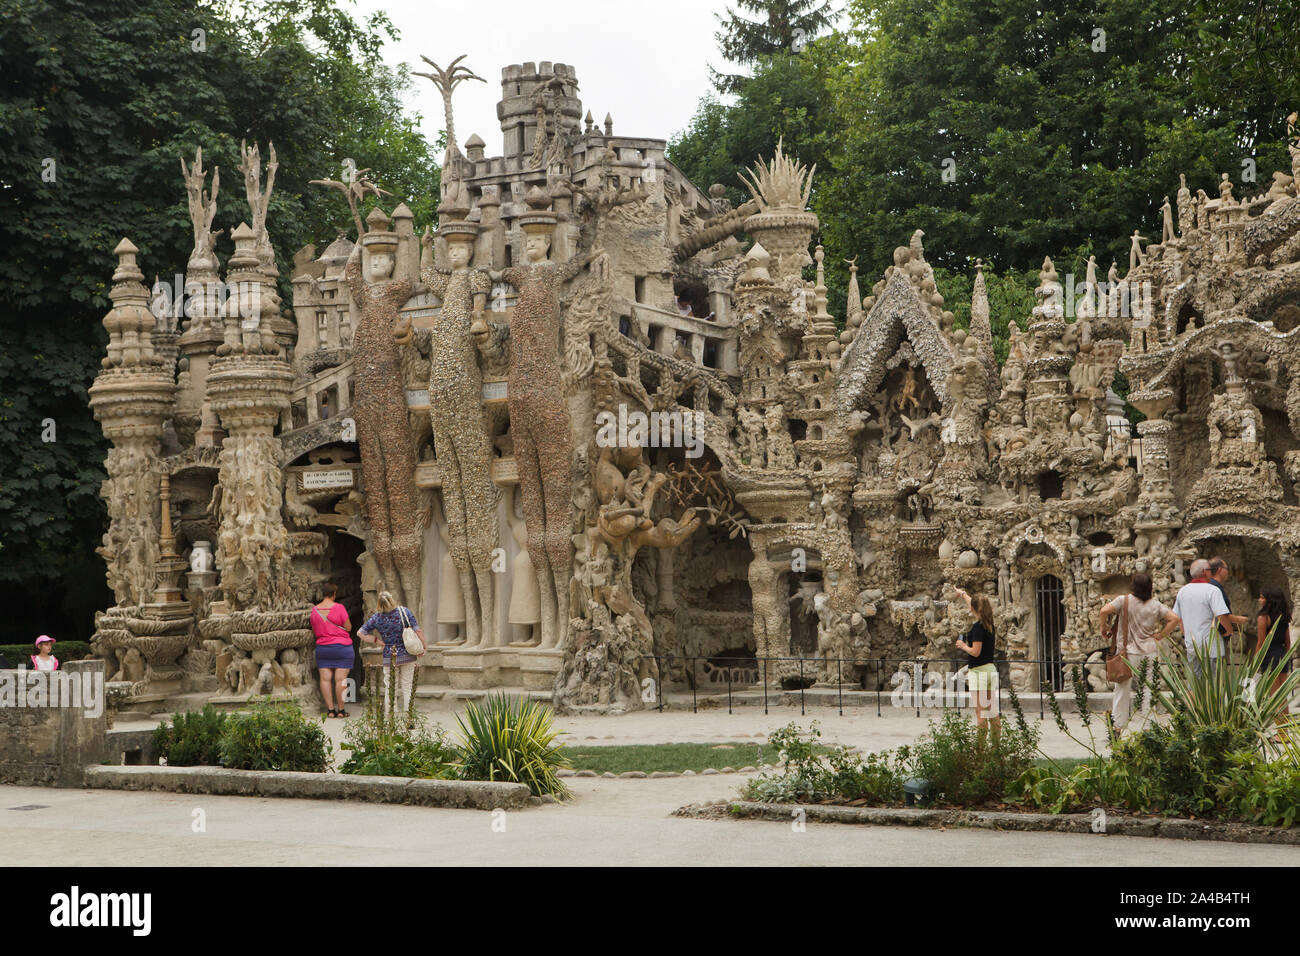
(275,736)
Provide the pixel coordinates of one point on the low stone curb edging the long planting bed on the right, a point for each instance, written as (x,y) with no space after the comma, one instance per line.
(990,820)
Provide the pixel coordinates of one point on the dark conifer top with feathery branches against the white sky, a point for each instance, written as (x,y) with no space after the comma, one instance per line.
(783,27)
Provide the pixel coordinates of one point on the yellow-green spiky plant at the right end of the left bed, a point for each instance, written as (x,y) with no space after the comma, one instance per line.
(508,738)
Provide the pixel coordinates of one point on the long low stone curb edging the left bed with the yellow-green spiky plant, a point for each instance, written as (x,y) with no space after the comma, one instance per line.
(482,795)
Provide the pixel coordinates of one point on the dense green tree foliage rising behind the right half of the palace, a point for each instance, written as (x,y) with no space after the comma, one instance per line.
(1065,124)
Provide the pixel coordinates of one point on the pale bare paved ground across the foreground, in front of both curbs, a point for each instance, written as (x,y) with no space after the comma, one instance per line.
(610,823)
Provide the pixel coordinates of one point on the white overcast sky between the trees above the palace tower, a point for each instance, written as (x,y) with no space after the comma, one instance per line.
(647,63)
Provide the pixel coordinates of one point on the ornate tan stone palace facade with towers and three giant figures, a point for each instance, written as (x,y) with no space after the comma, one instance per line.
(597,417)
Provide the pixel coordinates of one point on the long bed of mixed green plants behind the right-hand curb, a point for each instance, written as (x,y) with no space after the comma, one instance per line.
(1237,759)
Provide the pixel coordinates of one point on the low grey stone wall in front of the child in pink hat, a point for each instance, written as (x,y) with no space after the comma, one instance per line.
(44,746)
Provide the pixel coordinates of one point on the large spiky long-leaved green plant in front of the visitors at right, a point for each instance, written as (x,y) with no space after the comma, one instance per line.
(1238,697)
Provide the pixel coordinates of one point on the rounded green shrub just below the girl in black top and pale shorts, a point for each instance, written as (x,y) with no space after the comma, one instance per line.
(970,767)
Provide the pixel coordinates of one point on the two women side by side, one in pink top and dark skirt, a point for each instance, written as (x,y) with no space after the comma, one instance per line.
(336,652)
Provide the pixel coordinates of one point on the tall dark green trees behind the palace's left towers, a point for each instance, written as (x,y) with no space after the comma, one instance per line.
(99,102)
